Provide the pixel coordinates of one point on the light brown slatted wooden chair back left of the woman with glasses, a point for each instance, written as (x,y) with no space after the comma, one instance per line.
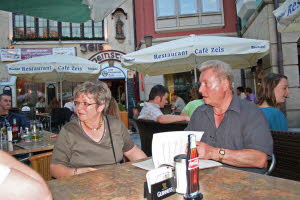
(41,164)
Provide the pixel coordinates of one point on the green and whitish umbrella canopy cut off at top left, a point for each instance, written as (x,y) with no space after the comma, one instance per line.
(76,11)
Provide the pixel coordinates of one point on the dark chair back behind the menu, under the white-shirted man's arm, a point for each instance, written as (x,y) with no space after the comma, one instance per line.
(147,128)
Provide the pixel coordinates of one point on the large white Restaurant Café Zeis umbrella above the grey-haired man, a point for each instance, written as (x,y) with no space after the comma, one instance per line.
(187,53)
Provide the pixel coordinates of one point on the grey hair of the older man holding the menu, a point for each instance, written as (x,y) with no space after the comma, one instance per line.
(223,69)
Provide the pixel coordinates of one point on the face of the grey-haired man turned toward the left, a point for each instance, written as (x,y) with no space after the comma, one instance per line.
(212,87)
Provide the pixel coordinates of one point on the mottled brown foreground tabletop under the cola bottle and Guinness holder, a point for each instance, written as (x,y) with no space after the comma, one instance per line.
(126,182)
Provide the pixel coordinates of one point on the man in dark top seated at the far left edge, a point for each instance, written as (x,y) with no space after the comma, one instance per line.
(6,116)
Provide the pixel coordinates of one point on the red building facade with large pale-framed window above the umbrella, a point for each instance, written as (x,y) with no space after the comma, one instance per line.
(160,21)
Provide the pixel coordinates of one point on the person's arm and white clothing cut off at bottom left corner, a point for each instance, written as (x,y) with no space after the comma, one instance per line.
(18,181)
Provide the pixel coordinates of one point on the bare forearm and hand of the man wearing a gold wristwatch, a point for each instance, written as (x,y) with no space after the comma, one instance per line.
(238,158)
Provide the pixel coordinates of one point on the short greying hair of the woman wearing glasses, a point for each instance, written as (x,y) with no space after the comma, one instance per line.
(99,91)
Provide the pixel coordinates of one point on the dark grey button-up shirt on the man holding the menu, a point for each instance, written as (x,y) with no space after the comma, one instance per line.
(244,126)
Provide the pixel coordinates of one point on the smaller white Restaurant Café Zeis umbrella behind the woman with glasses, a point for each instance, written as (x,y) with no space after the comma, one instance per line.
(55,68)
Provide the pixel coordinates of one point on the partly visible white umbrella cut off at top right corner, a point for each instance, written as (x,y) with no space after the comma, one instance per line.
(288,16)
